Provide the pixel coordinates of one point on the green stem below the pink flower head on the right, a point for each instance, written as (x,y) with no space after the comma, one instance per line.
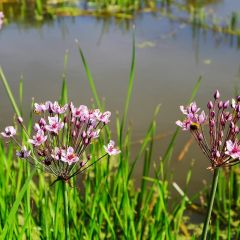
(210,205)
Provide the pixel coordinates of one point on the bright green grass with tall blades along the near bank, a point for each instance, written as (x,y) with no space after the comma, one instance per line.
(105,202)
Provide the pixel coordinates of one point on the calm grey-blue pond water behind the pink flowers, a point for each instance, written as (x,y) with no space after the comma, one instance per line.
(171,55)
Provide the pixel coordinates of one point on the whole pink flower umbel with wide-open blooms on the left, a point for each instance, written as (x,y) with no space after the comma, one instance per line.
(61,138)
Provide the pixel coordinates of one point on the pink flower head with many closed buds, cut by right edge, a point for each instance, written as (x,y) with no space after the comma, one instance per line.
(221,145)
